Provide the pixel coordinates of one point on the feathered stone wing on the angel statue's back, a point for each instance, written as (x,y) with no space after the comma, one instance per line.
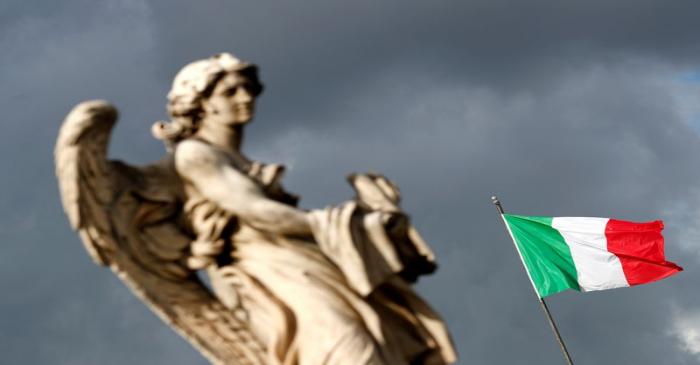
(127,219)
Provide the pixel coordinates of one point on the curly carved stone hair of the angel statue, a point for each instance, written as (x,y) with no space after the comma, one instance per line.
(194,83)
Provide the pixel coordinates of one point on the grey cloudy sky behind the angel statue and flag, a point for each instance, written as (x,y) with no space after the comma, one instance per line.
(588,108)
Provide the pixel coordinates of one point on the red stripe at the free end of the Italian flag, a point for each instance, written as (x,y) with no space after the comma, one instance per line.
(640,247)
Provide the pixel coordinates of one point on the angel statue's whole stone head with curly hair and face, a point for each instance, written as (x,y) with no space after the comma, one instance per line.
(219,89)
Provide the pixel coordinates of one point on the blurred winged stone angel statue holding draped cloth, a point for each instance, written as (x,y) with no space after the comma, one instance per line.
(286,286)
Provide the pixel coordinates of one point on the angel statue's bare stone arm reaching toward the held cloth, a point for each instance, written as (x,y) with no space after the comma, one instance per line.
(213,175)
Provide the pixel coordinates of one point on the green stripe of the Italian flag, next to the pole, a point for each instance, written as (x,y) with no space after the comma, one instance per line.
(546,254)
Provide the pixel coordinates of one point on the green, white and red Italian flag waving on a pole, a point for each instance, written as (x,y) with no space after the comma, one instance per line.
(588,254)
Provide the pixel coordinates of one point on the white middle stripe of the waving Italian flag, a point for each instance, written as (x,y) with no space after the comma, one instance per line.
(597,268)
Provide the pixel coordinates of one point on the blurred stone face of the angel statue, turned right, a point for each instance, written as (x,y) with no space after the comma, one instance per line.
(231,102)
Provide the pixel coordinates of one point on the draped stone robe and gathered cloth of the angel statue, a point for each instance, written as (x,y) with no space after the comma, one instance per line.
(337,298)
